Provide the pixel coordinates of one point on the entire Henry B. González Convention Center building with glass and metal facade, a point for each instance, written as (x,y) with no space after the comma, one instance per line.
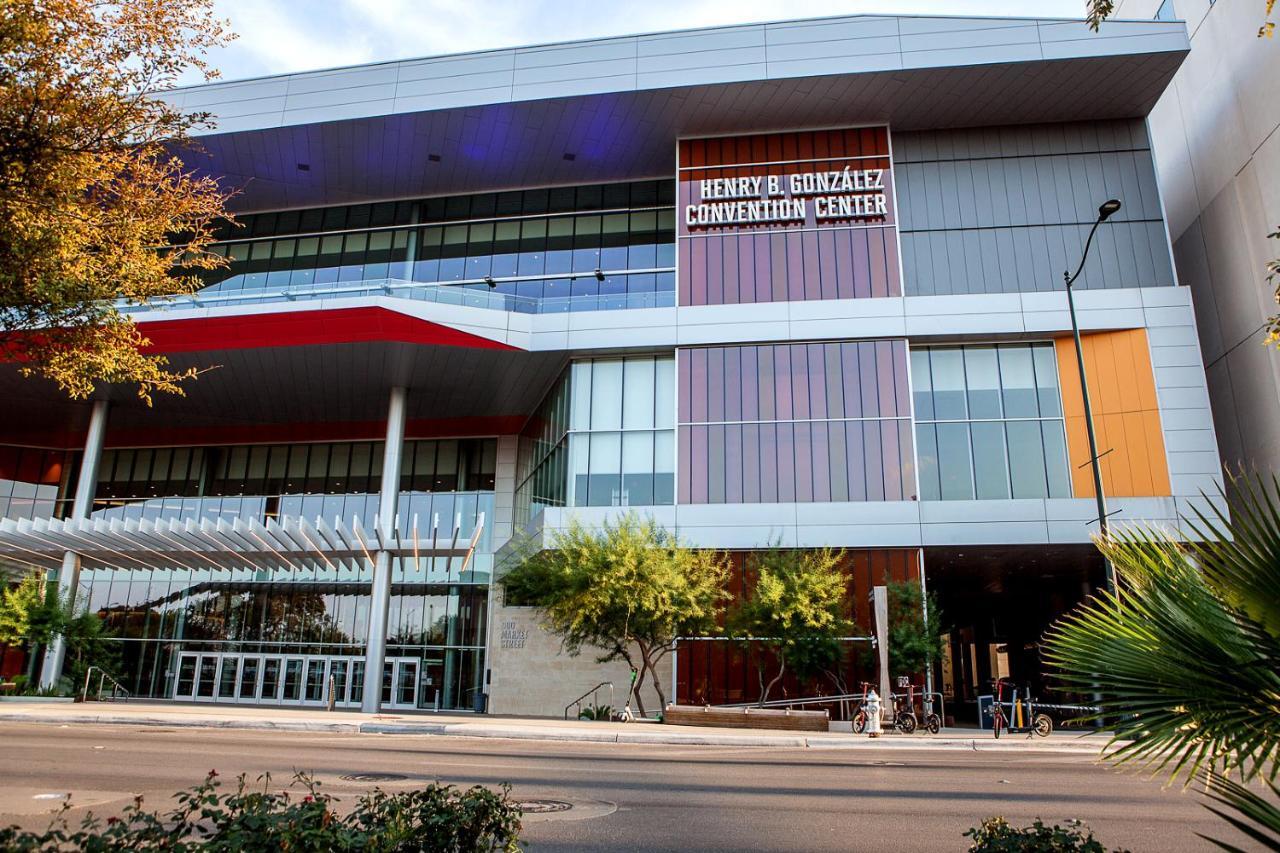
(793,285)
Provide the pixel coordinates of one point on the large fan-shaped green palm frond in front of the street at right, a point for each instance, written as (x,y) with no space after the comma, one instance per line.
(1187,678)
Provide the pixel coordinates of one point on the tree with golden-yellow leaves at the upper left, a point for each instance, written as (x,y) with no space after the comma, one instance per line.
(97,204)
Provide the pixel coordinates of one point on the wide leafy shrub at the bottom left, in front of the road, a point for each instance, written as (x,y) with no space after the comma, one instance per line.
(437,819)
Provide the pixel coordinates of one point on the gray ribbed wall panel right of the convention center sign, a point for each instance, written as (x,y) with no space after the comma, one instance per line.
(1003,211)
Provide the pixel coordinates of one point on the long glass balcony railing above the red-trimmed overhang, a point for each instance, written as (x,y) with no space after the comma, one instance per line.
(451,294)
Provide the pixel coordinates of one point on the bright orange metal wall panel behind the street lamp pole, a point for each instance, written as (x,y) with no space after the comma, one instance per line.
(1126,416)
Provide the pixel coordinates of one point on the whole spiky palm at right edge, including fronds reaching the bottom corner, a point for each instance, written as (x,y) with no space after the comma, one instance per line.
(1187,654)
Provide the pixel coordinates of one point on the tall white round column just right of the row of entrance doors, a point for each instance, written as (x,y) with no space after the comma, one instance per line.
(381,600)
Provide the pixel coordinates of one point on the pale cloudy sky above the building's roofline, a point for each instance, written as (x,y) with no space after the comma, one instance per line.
(280,37)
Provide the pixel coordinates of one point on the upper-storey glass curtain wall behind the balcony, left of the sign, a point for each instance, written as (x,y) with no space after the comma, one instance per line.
(610,243)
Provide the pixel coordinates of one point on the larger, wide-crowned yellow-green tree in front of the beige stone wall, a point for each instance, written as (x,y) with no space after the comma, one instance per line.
(628,590)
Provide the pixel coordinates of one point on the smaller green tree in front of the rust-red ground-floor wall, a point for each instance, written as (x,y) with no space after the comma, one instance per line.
(798,610)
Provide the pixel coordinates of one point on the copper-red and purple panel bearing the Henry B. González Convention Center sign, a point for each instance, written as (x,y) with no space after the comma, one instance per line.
(787,218)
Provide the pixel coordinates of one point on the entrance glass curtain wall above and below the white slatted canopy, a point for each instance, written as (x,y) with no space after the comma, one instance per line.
(168,621)
